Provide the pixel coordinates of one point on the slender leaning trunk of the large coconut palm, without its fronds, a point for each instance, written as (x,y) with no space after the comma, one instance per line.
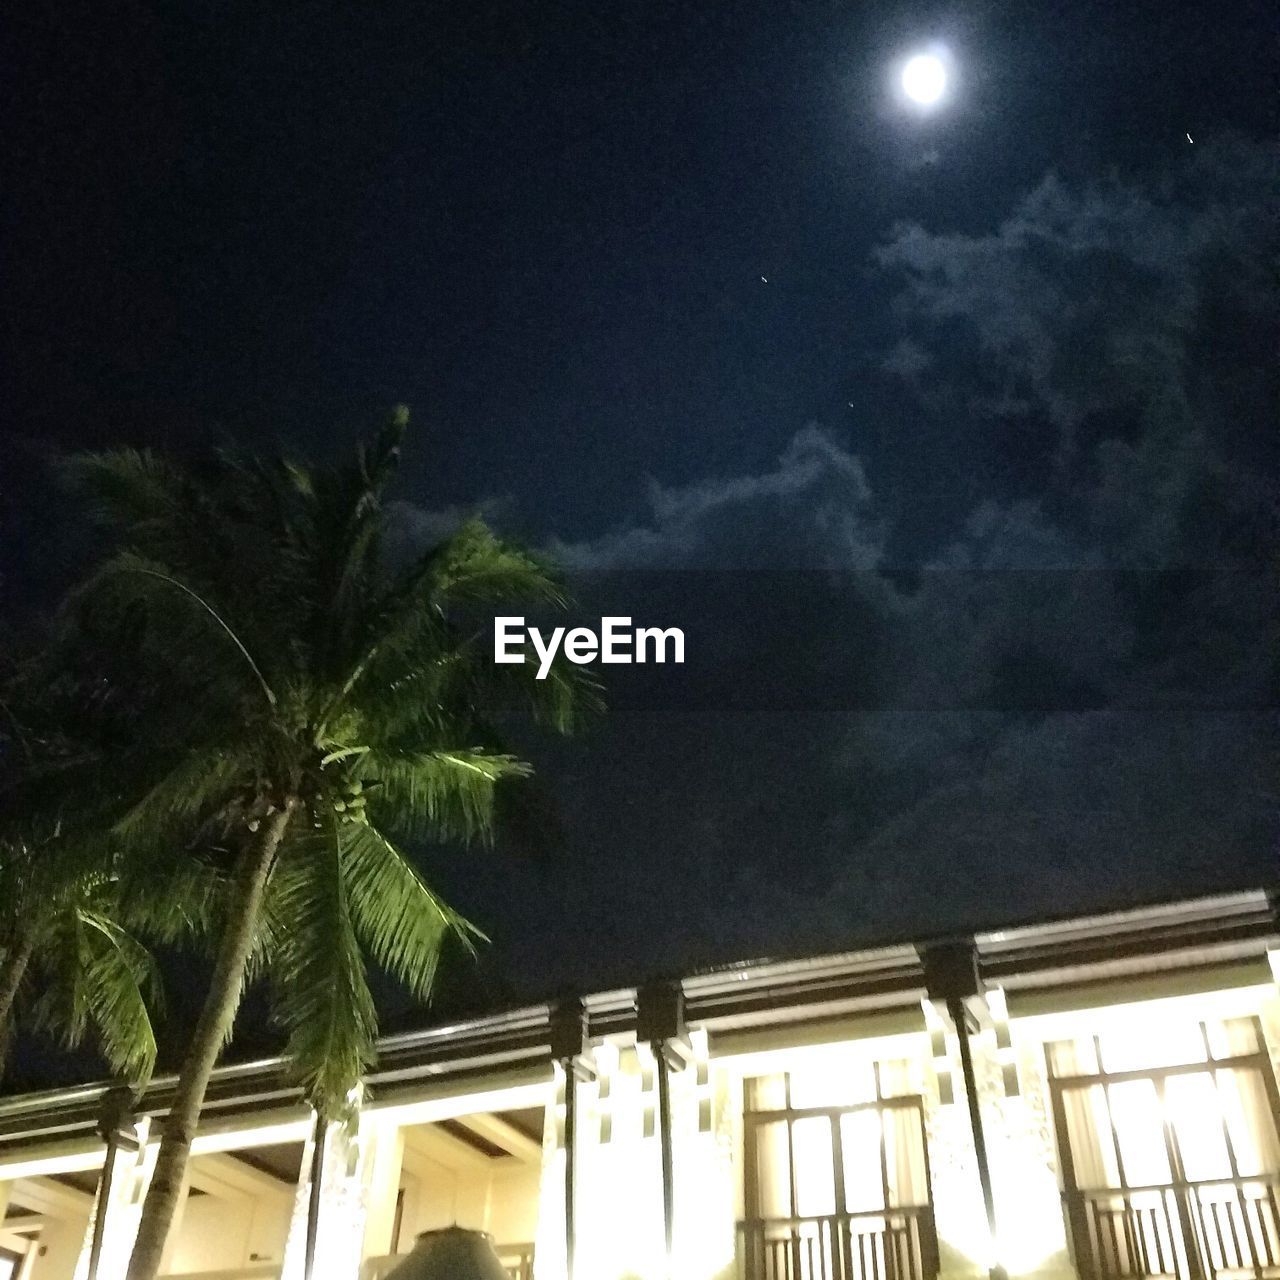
(212,1032)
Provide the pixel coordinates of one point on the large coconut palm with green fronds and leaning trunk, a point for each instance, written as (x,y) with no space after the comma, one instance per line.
(321,705)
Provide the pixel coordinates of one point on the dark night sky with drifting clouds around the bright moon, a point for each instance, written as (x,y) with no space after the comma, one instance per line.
(950,438)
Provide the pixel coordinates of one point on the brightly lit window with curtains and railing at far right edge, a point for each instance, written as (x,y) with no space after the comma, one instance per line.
(1168,1133)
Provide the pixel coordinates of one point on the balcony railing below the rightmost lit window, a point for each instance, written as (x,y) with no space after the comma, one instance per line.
(1228,1231)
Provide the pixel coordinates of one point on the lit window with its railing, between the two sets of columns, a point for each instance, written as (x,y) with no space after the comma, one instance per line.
(838,1178)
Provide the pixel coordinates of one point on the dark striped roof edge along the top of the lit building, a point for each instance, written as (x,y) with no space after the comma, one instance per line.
(1176,936)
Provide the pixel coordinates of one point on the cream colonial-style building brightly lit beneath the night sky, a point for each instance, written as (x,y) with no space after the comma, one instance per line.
(1091,1098)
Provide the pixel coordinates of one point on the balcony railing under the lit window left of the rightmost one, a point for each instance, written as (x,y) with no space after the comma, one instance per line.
(889,1245)
